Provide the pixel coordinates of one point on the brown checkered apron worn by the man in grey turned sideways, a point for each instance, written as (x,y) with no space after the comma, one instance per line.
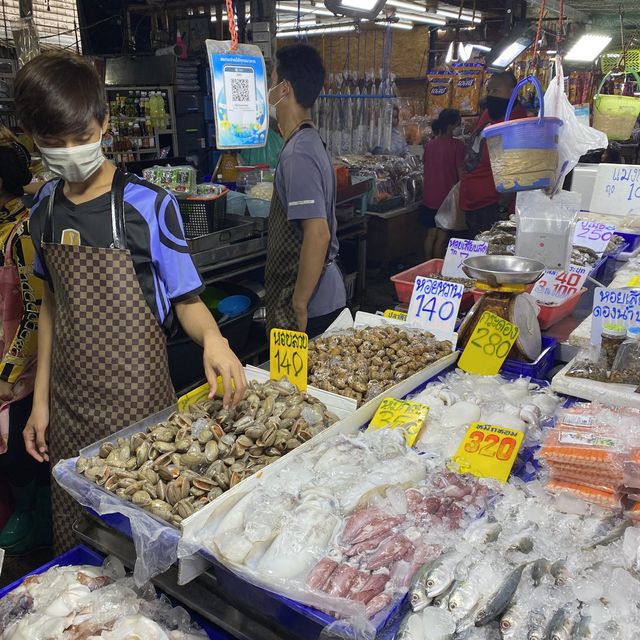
(283,258)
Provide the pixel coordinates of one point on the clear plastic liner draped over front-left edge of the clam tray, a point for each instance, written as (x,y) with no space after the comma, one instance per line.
(156,543)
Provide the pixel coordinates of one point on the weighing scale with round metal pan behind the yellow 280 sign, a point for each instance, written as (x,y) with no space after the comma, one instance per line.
(504,280)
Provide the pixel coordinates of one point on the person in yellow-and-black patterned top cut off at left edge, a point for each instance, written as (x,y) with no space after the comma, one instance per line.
(29,526)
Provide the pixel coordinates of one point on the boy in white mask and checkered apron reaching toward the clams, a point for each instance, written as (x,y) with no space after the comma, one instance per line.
(112,251)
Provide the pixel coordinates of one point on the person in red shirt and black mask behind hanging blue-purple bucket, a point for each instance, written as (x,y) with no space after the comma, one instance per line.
(480,201)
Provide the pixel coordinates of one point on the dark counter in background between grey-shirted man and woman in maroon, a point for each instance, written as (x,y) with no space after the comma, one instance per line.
(395,234)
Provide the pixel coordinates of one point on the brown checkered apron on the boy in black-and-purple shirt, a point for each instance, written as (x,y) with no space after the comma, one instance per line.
(110,365)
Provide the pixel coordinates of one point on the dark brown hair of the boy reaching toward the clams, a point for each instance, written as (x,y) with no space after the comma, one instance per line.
(59,94)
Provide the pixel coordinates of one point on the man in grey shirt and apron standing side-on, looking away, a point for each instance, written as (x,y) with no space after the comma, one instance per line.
(304,287)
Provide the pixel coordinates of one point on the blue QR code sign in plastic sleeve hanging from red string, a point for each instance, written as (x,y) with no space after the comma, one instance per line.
(239,88)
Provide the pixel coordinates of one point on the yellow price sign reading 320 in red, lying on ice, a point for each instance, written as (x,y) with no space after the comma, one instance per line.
(488,451)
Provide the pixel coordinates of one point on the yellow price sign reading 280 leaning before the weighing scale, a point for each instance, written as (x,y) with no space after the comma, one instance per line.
(488,345)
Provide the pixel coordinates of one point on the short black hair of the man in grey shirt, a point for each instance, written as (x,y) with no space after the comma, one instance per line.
(302,66)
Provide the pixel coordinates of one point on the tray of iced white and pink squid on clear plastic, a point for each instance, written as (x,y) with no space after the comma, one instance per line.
(342,527)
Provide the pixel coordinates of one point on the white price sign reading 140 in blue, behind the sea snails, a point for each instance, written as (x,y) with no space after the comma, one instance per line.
(434,304)
